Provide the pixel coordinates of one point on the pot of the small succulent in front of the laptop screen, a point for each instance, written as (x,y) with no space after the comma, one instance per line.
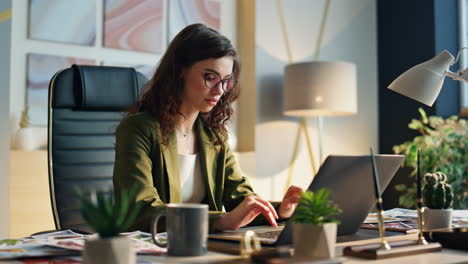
(314,242)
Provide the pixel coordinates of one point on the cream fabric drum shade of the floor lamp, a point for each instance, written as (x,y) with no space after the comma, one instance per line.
(320,89)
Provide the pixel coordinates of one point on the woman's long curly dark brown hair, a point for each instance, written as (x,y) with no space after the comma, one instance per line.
(162,94)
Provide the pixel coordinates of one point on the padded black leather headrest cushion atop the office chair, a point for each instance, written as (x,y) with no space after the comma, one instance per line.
(105,88)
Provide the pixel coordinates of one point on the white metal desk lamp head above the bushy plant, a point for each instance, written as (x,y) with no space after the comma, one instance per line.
(424,81)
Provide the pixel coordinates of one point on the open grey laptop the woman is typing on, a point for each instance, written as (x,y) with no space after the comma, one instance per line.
(350,180)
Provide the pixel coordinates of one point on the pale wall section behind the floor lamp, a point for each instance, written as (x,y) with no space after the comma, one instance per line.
(350,35)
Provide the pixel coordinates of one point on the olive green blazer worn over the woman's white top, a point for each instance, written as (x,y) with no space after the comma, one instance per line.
(140,157)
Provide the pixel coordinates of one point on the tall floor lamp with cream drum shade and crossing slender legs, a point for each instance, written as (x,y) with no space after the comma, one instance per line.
(317,88)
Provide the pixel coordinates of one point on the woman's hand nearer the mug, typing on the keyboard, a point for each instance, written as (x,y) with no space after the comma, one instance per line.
(245,212)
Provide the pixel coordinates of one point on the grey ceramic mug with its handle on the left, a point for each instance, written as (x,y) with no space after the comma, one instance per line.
(186,227)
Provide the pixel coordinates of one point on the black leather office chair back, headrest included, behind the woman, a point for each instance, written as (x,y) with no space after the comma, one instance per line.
(86,104)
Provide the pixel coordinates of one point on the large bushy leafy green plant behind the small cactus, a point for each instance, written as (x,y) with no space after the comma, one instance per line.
(443,144)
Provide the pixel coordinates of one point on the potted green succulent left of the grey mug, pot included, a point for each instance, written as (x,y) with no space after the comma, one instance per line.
(109,218)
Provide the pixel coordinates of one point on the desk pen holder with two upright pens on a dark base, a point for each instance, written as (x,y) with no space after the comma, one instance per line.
(397,248)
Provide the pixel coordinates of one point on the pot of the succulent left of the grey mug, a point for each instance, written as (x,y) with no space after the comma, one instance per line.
(117,250)
